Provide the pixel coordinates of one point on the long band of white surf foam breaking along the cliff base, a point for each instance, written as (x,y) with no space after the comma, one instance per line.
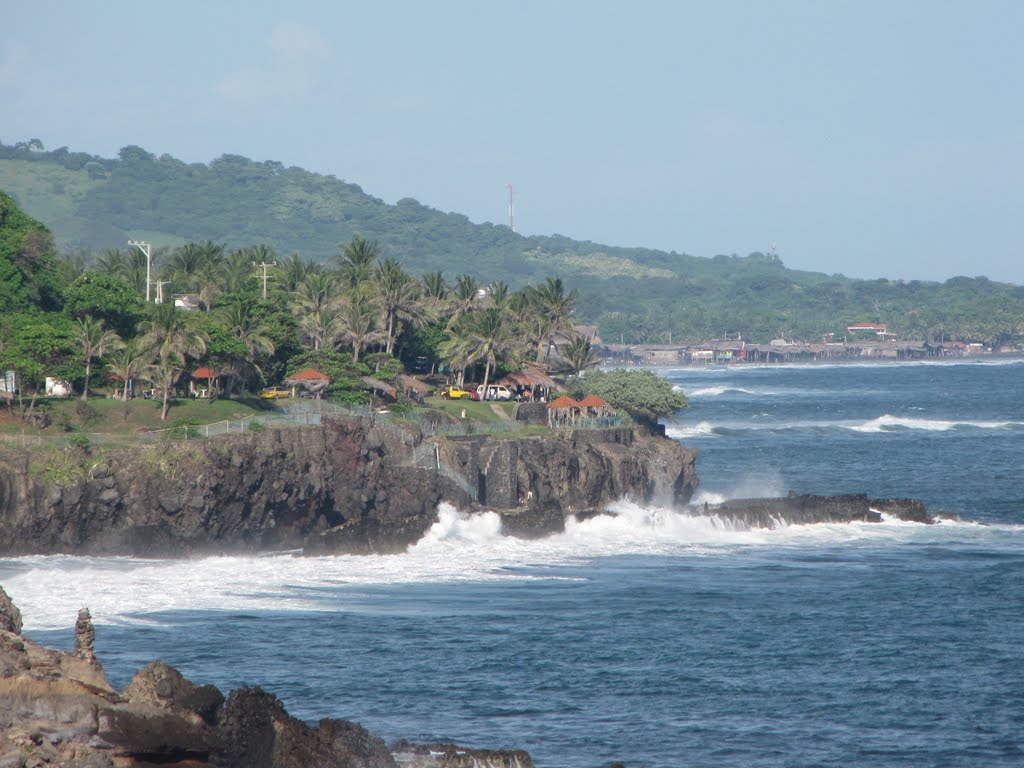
(458,548)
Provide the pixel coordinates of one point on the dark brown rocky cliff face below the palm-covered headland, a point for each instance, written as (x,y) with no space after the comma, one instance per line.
(352,485)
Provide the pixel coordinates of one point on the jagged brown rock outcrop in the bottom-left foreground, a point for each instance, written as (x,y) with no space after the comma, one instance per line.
(58,709)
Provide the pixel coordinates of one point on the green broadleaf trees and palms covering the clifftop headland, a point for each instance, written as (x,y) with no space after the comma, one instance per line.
(252,319)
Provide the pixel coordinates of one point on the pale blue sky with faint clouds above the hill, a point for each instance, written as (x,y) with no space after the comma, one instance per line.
(869,139)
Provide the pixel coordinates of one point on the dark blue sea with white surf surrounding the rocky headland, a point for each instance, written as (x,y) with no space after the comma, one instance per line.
(650,637)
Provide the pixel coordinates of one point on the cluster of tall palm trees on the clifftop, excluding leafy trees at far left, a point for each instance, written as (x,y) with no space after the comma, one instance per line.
(359,304)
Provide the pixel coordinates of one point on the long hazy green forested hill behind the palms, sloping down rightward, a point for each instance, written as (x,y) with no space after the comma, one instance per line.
(93,204)
